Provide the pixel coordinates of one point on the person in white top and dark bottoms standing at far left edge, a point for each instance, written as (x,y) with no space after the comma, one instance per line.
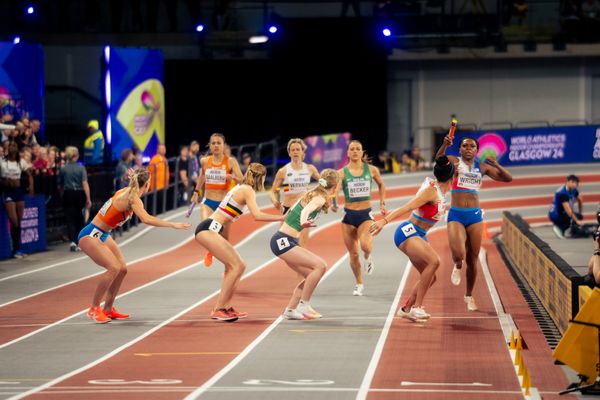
(12,169)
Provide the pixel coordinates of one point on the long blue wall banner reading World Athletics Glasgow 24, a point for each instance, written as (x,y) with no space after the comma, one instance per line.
(556,145)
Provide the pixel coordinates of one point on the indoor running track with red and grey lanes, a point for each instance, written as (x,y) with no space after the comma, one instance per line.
(171,349)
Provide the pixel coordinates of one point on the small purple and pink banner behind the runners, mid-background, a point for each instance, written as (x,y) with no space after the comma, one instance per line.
(327,151)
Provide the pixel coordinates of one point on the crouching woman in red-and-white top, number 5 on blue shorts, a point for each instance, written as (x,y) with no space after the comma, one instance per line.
(427,208)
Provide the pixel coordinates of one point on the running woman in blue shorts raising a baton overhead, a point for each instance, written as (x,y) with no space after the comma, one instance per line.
(465,220)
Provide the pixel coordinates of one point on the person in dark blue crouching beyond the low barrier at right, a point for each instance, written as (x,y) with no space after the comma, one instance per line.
(562,212)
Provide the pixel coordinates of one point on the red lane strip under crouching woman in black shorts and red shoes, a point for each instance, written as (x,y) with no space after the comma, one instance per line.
(201,335)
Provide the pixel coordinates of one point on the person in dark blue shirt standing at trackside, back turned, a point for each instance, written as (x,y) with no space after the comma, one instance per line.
(76,194)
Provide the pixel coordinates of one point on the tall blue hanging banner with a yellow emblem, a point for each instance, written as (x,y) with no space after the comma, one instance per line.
(135,100)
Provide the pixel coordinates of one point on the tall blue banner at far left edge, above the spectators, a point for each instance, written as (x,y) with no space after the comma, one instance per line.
(22,82)
